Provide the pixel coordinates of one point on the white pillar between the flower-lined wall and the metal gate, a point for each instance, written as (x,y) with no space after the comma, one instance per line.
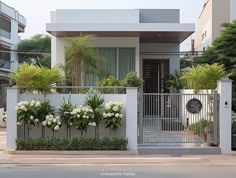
(131,117)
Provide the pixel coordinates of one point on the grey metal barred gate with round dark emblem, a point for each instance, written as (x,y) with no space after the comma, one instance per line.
(178,118)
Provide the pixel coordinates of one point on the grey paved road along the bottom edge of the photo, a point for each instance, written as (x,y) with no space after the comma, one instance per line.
(117,171)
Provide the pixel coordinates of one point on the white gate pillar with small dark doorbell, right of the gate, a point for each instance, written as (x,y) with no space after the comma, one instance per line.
(224,87)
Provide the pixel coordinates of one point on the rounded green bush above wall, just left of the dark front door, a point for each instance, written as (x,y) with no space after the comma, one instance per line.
(132,80)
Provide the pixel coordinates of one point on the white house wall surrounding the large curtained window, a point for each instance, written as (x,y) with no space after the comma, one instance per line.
(59,44)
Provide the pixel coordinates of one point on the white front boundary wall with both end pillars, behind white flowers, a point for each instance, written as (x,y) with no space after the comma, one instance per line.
(129,124)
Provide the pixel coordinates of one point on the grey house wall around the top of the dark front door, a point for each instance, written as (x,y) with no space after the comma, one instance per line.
(174,60)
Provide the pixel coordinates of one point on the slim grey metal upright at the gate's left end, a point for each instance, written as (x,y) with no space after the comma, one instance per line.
(141,116)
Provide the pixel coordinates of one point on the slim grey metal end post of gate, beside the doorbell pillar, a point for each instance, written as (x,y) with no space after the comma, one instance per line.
(215,119)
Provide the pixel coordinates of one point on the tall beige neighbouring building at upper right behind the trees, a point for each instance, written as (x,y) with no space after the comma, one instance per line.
(214,13)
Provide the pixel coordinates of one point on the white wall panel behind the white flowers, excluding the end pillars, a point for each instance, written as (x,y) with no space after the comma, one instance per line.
(56,99)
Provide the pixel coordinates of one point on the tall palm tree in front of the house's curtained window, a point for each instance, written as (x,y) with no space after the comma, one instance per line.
(81,58)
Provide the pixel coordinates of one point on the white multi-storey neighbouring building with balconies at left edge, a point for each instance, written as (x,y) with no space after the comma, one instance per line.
(11,23)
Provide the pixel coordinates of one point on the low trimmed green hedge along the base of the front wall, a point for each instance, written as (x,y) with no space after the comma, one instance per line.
(72,144)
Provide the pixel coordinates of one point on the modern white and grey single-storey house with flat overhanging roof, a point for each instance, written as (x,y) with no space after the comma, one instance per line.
(141,40)
